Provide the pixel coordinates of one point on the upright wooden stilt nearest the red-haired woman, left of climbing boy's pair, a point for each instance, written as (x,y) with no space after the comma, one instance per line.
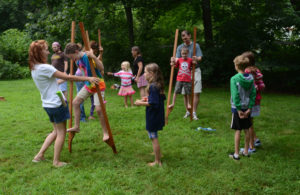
(71,134)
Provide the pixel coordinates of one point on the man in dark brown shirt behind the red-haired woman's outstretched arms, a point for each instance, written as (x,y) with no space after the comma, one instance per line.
(60,62)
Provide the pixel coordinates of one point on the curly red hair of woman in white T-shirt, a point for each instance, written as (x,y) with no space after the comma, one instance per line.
(35,53)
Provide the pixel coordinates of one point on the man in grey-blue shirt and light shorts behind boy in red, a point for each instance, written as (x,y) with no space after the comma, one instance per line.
(186,38)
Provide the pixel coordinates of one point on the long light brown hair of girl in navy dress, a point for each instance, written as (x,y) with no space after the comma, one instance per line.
(157,80)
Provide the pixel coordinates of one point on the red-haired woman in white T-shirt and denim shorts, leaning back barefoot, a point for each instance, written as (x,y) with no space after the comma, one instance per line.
(44,75)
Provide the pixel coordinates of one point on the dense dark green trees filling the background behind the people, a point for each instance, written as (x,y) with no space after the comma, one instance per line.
(269,28)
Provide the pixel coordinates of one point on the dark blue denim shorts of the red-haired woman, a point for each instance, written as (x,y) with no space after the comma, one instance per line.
(59,114)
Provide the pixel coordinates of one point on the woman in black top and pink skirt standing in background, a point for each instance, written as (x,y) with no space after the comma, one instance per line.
(138,70)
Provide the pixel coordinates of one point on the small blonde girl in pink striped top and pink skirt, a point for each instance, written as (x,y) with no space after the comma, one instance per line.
(126,76)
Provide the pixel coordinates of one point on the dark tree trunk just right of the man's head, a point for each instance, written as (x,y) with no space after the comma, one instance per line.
(208,34)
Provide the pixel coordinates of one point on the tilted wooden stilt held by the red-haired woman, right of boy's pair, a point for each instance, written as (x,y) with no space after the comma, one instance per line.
(110,141)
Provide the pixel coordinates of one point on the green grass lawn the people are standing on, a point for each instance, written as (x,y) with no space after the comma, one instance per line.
(194,162)
